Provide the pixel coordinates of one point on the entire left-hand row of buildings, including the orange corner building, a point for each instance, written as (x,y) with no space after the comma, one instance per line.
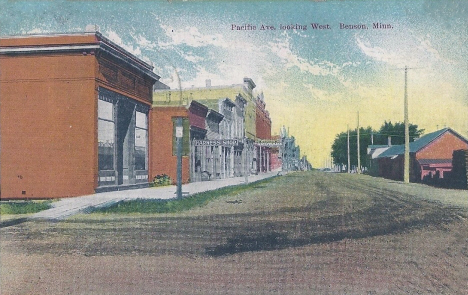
(79,114)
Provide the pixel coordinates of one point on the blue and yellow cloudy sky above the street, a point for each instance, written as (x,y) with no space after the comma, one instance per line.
(315,81)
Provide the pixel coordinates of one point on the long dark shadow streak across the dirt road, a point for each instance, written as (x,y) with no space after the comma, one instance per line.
(385,217)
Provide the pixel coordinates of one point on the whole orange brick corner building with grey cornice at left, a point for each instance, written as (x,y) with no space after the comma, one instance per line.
(74,115)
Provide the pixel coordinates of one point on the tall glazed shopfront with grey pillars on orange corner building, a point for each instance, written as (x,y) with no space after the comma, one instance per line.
(122,139)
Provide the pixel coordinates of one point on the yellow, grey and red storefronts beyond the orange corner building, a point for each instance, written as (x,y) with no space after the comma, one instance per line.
(224,141)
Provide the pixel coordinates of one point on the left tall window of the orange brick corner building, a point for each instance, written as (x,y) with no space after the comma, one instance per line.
(106,135)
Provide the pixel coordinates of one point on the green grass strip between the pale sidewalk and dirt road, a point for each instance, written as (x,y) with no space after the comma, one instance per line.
(177,205)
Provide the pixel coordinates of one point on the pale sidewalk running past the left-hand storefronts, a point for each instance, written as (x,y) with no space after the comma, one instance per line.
(70,206)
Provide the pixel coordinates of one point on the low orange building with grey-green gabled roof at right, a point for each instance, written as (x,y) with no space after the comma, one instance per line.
(430,157)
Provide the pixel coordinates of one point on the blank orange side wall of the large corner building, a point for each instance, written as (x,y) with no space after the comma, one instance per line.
(48,126)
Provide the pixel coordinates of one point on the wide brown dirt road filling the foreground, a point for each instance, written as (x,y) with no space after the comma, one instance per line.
(304,233)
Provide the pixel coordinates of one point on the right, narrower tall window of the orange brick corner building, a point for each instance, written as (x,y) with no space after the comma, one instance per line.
(141,140)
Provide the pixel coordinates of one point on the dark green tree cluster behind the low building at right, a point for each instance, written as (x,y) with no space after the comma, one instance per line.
(396,131)
